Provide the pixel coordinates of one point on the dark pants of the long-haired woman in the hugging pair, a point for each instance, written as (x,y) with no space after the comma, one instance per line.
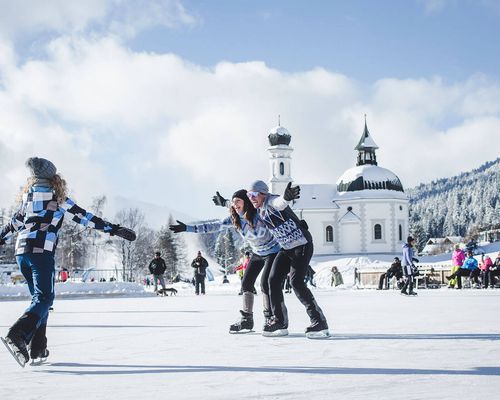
(255,266)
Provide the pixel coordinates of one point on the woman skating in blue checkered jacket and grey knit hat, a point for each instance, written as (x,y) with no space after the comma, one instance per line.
(43,205)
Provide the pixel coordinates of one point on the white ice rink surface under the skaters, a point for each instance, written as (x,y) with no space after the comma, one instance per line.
(441,345)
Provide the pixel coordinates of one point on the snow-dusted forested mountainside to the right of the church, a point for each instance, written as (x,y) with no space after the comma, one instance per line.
(452,206)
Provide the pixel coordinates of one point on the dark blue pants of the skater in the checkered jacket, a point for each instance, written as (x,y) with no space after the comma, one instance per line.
(39,272)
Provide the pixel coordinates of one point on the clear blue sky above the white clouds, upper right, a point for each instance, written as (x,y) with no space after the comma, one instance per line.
(366,40)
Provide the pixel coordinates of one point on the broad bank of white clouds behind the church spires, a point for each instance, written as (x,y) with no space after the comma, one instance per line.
(154,125)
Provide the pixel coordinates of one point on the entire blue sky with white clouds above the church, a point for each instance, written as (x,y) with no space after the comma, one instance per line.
(167,101)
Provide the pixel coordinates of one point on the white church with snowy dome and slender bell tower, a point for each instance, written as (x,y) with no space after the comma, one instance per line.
(364,212)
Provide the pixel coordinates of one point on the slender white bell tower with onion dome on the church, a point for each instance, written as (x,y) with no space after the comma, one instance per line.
(280,159)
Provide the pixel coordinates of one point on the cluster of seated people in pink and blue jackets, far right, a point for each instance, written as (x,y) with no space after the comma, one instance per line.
(482,274)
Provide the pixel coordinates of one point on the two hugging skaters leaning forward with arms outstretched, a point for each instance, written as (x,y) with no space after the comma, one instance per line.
(281,244)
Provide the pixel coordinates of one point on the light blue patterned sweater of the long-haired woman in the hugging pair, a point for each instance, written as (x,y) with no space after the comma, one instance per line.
(259,238)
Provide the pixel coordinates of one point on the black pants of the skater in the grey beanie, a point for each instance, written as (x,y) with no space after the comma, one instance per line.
(296,261)
